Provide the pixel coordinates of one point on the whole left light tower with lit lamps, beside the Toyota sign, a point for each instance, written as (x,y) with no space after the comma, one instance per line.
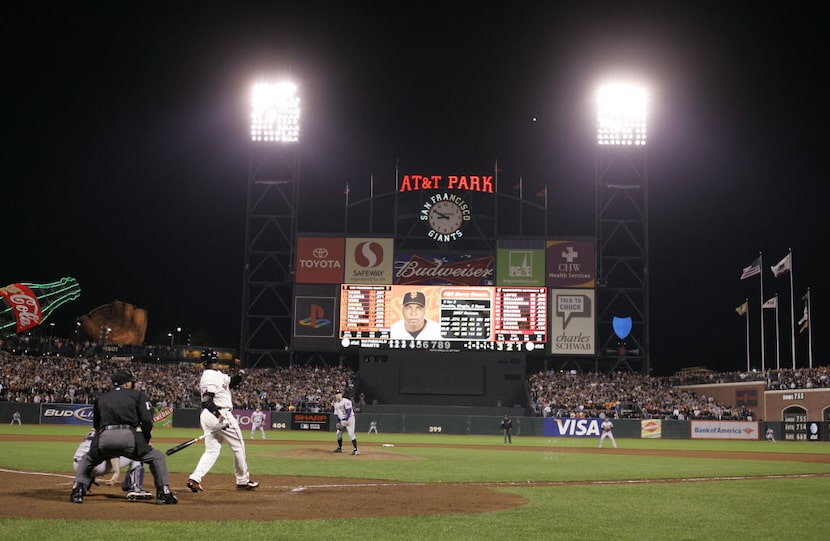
(268,267)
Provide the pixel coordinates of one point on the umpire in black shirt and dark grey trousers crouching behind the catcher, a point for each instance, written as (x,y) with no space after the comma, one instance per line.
(123,421)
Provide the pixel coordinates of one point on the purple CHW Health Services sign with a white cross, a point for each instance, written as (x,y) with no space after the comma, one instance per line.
(571,263)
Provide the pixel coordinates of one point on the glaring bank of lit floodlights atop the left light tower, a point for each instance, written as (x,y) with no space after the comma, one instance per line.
(275,113)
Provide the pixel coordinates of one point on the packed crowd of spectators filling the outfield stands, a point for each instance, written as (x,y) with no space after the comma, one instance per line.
(79,376)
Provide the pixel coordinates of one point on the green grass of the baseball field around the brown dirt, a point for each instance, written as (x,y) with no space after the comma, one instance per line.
(619,506)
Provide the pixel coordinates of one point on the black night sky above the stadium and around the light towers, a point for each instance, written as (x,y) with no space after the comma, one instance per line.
(127,150)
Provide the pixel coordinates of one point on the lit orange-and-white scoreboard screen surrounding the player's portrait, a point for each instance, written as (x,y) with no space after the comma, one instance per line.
(497,318)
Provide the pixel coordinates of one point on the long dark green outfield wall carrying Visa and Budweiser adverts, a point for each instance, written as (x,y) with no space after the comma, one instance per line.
(433,423)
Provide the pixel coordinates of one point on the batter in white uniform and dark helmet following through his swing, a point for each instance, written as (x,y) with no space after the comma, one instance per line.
(217,411)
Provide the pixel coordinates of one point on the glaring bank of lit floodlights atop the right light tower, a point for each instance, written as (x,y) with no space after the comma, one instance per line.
(621,115)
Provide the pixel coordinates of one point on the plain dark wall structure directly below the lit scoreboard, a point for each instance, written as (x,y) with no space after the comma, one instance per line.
(437,378)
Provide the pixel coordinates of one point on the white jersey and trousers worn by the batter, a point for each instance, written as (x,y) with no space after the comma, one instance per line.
(214,381)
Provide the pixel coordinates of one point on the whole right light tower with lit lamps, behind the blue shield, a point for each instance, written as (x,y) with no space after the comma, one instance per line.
(621,198)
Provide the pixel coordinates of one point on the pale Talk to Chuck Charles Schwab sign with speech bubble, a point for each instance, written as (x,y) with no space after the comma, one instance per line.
(572,322)
